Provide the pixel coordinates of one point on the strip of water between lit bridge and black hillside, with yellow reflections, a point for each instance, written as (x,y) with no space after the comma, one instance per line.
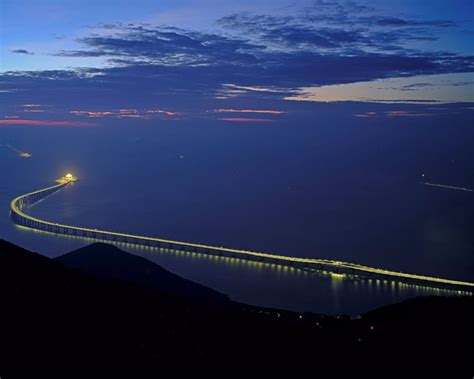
(272,285)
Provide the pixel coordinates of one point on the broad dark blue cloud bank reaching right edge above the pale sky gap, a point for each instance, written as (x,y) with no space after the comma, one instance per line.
(267,51)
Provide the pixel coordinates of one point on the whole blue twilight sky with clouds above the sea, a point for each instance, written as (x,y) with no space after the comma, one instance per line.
(81,63)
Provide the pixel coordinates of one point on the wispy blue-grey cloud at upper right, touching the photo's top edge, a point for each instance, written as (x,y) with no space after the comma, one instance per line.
(342,27)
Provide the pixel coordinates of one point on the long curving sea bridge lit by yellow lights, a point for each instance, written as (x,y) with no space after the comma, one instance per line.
(21,202)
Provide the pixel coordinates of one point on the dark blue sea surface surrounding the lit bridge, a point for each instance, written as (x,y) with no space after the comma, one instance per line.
(349,192)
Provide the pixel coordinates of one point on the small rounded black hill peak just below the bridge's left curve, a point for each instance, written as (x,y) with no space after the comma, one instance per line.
(108,261)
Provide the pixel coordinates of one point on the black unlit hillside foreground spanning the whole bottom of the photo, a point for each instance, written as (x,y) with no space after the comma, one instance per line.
(76,312)
